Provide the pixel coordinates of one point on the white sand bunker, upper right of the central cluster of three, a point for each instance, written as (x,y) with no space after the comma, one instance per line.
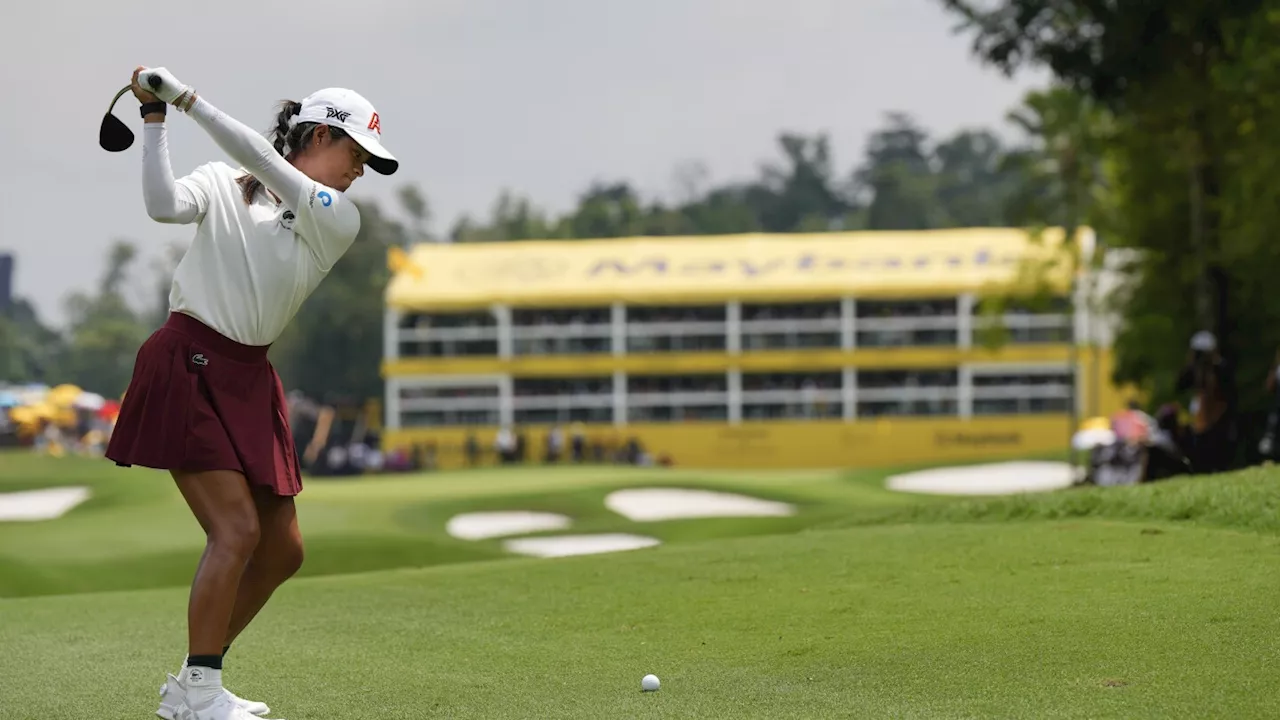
(674,504)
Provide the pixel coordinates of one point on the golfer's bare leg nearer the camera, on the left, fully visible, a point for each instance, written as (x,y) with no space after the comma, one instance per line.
(225,508)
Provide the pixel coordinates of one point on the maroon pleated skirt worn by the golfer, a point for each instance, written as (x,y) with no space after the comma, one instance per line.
(200,402)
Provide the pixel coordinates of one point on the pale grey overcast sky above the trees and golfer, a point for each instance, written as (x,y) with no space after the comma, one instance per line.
(540,97)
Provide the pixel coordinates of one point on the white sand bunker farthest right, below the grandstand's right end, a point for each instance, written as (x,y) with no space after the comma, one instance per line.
(1002,479)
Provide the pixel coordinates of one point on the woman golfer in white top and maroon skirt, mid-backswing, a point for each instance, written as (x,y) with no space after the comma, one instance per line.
(204,402)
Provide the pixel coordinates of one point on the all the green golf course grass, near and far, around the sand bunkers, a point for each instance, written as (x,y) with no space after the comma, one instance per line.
(1155,601)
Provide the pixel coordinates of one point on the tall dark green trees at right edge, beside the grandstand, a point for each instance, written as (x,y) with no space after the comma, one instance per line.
(1173,153)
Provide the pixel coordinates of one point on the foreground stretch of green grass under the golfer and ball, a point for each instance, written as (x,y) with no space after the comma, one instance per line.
(1082,619)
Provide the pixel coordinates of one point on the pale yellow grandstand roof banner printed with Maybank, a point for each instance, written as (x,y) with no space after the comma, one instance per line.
(719,268)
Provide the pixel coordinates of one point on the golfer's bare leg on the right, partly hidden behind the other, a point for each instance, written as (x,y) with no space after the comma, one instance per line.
(277,559)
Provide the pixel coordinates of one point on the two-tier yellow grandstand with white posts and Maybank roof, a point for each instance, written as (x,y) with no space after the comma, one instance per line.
(744,352)
